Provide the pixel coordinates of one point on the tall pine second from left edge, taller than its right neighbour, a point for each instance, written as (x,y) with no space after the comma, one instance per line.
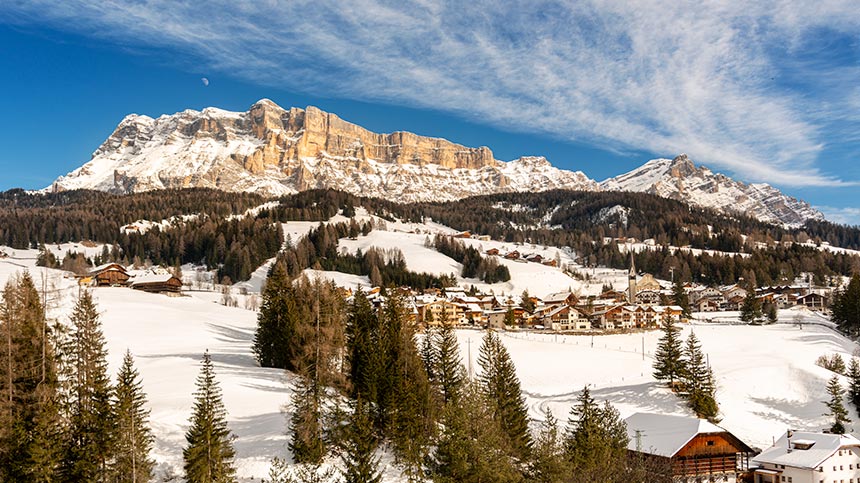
(92,425)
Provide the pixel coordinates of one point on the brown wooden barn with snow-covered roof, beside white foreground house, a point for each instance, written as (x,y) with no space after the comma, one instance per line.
(695,449)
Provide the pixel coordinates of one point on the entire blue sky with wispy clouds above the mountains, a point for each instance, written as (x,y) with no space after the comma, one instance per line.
(764,93)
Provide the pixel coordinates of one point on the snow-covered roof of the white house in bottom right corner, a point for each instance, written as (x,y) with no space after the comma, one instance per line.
(821,446)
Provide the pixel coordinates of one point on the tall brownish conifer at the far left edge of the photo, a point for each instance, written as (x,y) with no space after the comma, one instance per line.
(29,419)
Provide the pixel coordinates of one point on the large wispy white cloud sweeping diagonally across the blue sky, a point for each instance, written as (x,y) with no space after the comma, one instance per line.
(667,77)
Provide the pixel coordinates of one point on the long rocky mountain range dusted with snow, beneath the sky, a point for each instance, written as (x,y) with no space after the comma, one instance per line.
(277,151)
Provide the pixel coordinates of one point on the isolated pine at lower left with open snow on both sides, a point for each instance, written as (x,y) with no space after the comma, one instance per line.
(209,454)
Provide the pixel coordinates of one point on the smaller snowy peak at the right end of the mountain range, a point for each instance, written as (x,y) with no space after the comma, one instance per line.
(680,179)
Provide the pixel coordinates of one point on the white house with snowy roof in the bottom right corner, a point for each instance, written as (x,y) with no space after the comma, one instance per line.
(805,457)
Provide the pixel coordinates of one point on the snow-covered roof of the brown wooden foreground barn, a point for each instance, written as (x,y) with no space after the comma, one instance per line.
(665,435)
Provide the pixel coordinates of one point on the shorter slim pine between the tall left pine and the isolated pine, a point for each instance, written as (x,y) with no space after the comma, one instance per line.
(134,438)
